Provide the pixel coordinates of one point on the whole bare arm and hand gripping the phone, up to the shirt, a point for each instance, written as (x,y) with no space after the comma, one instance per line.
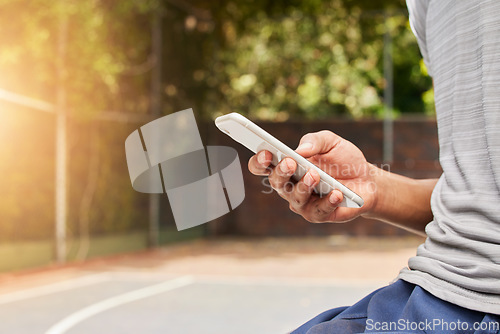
(389,197)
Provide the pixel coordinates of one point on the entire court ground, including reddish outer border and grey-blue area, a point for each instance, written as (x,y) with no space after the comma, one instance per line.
(217,286)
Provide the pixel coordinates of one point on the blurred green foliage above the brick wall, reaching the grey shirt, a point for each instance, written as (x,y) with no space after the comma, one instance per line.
(302,60)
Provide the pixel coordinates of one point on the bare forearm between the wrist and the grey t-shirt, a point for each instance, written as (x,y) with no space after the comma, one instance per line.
(402,201)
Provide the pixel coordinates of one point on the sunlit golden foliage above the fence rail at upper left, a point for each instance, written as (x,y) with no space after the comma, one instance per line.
(104,40)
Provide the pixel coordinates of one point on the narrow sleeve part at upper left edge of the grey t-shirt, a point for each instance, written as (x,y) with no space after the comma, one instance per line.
(418,17)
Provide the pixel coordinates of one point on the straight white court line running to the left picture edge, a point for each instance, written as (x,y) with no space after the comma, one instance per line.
(53,288)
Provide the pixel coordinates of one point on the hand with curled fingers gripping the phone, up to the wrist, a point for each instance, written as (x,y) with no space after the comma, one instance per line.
(336,156)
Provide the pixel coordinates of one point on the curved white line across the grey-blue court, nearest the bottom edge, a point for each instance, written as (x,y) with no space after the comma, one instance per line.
(106,304)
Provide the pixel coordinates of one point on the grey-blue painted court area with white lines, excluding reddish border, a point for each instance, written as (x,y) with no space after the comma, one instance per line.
(129,302)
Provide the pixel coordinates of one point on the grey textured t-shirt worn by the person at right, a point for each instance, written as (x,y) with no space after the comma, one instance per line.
(460,259)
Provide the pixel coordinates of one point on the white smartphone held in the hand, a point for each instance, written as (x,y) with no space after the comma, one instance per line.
(257,139)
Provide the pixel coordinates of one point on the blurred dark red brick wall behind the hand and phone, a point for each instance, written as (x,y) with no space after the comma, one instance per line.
(261,214)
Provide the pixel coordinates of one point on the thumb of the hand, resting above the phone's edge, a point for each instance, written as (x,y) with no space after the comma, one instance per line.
(315,143)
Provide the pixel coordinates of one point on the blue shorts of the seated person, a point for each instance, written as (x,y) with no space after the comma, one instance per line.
(401,308)
